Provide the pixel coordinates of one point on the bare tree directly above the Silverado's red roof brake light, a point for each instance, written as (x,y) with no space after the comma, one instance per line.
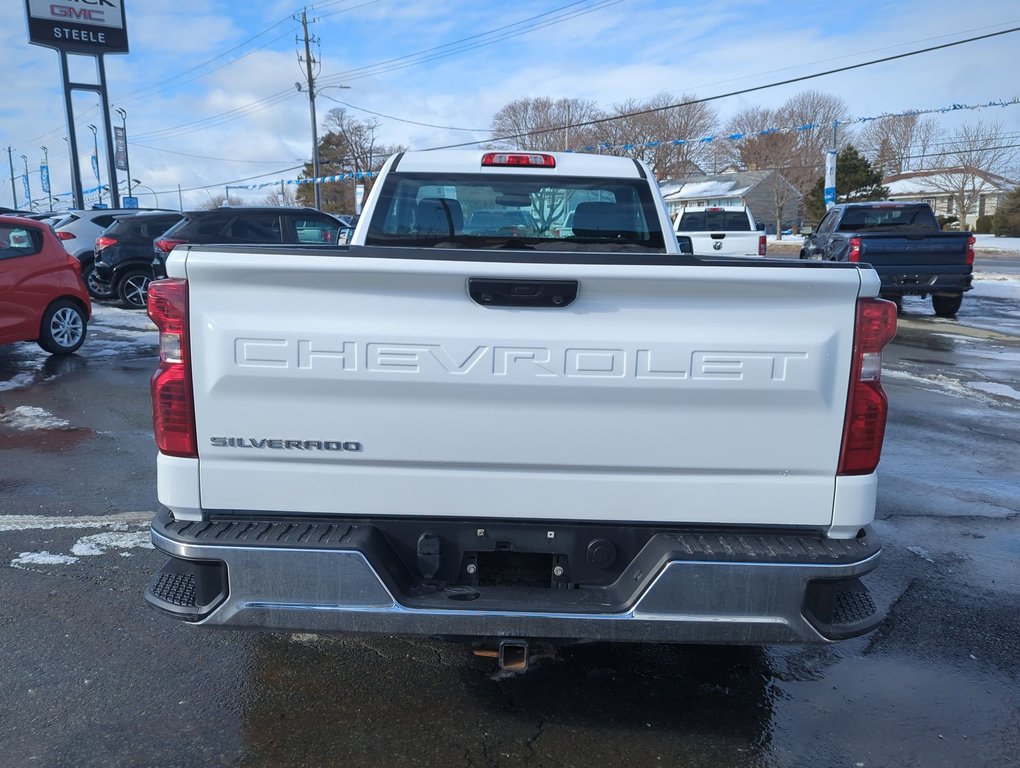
(542,124)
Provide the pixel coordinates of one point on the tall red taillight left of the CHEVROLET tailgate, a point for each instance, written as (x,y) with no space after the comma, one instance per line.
(173,401)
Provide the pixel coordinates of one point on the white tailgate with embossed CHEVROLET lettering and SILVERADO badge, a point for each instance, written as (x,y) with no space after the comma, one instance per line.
(374,387)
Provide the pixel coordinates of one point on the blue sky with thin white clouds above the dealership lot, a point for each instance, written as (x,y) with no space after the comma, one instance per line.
(210,85)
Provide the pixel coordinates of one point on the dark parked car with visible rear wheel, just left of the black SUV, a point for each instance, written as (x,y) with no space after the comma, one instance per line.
(124,254)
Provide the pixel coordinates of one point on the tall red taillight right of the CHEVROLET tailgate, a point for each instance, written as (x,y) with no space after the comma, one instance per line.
(868,407)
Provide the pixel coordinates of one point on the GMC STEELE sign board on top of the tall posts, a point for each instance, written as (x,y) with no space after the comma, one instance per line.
(91,27)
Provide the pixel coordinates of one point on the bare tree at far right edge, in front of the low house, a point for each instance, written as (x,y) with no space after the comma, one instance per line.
(971,157)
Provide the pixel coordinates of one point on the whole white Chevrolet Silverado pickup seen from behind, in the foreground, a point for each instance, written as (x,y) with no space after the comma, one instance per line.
(513,437)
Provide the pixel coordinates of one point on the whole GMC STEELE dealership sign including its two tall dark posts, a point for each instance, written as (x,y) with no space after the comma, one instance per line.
(93,29)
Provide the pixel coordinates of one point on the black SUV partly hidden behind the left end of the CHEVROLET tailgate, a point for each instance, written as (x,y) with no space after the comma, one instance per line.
(253,226)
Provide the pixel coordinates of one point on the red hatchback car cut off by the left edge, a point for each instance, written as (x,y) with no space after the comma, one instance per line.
(42,297)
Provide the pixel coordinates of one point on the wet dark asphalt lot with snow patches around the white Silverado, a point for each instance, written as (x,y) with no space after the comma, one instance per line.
(91,678)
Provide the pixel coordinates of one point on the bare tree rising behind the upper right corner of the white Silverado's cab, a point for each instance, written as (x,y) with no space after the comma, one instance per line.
(664,136)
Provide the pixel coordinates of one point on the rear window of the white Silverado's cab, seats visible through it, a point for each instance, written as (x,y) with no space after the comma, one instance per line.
(535,213)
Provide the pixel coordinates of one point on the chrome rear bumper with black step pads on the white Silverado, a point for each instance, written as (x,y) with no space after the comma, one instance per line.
(302,578)
